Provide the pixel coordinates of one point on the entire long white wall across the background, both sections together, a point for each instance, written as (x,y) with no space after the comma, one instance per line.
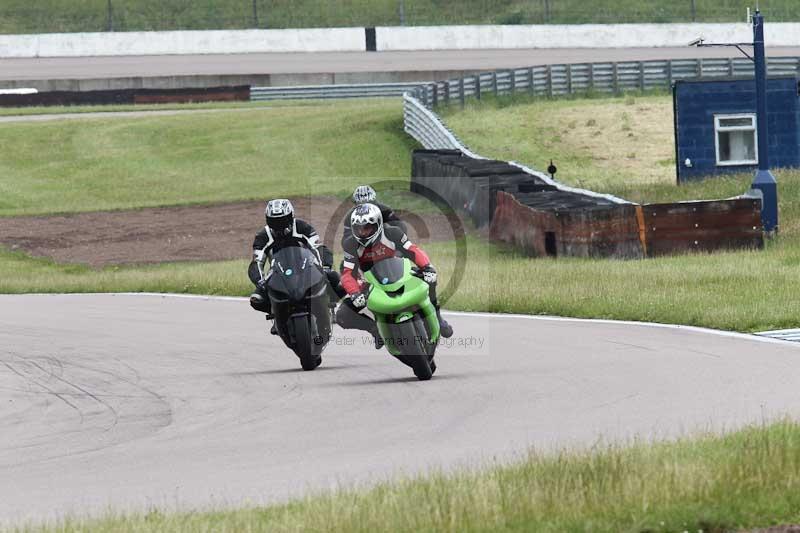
(385,39)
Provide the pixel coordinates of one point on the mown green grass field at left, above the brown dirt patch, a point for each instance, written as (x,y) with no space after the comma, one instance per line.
(231,154)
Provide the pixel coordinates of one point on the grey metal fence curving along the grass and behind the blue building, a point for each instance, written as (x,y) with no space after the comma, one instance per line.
(560,80)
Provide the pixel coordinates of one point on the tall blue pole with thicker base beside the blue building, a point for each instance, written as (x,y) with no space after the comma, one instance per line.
(764,180)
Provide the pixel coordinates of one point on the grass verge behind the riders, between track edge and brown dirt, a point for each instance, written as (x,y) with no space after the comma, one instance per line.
(739,291)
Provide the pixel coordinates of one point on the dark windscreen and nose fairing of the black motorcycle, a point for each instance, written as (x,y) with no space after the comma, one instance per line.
(294,271)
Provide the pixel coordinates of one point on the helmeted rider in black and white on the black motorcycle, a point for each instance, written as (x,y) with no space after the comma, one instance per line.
(282,230)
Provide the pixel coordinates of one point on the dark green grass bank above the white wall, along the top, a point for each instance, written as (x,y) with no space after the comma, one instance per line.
(19,16)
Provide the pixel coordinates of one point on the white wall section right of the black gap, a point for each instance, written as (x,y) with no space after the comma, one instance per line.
(576,36)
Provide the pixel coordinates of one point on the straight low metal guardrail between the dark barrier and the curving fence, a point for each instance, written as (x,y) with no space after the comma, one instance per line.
(314,92)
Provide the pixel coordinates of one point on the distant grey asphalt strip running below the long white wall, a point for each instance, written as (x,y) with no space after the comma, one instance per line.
(300,63)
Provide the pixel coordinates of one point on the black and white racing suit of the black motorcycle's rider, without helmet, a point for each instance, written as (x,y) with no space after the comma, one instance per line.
(266,243)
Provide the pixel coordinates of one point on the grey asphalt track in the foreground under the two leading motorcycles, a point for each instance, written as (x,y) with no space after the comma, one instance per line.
(129,402)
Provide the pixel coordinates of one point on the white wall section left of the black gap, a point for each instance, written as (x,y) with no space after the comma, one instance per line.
(182,42)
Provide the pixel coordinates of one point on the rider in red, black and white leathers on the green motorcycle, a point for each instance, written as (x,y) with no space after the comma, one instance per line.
(369,242)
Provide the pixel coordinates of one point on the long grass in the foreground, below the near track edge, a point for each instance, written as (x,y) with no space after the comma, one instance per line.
(746,479)
